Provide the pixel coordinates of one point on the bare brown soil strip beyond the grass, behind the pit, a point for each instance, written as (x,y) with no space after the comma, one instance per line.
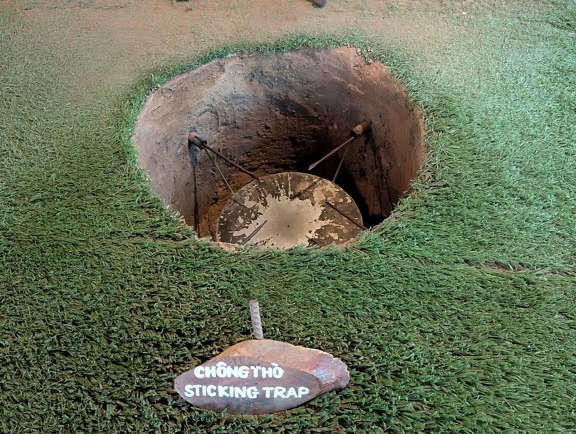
(117,41)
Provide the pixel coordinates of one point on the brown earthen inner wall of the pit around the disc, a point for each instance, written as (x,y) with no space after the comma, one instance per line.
(279,112)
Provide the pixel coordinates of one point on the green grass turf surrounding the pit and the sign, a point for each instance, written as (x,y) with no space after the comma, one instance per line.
(105,298)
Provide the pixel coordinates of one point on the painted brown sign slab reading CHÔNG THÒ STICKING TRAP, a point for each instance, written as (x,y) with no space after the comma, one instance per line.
(261,377)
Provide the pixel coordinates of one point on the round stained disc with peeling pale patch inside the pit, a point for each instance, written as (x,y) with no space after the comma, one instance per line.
(287,209)
